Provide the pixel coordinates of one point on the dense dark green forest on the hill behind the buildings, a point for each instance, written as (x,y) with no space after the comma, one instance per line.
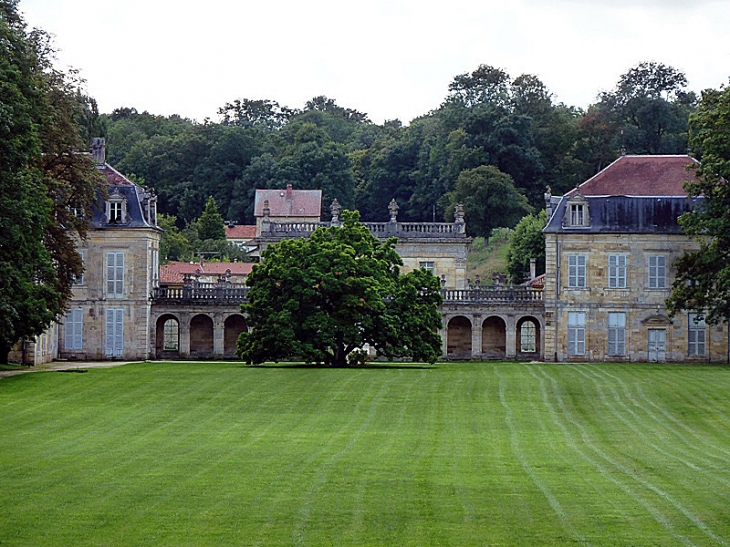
(495,144)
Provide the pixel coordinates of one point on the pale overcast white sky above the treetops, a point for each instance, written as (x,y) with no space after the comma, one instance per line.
(388,58)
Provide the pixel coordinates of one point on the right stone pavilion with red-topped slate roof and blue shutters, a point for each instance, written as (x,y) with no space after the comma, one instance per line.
(610,245)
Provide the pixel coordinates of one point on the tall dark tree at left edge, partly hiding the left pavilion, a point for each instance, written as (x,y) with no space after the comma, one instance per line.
(46,187)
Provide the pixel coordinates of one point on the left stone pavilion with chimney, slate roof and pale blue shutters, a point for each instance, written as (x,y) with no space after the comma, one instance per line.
(109,314)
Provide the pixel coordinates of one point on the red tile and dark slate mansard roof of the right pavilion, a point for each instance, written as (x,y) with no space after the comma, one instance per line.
(635,194)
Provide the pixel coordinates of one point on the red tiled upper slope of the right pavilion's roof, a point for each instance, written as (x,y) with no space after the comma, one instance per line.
(641,176)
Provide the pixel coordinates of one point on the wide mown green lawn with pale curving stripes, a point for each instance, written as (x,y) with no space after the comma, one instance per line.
(190,454)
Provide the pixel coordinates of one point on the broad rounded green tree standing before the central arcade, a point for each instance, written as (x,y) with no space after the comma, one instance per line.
(321,298)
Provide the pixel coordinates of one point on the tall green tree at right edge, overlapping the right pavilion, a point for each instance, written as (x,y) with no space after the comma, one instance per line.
(702,283)
